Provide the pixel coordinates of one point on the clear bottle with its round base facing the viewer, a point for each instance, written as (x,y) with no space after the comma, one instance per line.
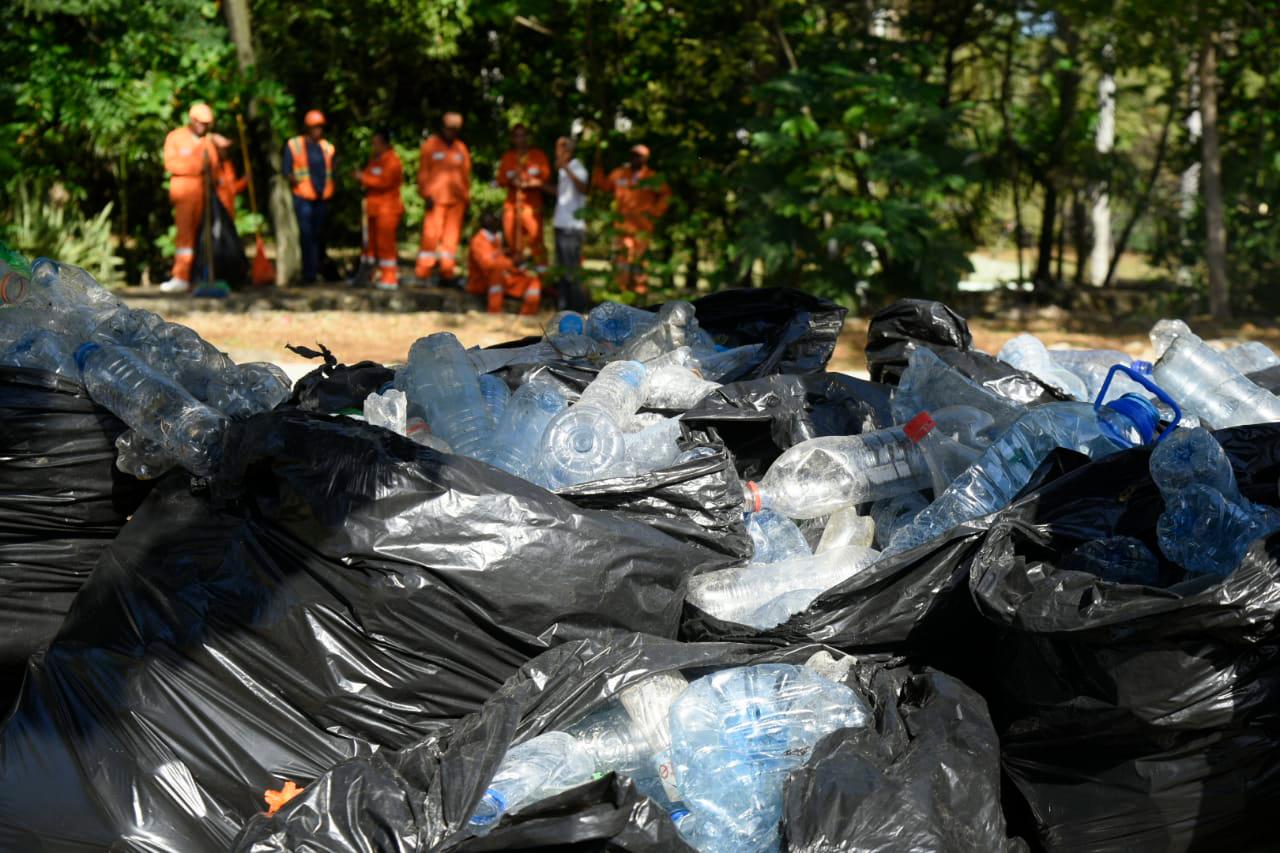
(587,443)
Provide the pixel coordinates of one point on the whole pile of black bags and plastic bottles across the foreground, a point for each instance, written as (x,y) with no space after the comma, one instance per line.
(655,581)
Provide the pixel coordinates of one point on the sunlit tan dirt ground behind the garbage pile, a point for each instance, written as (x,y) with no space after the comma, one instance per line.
(387,337)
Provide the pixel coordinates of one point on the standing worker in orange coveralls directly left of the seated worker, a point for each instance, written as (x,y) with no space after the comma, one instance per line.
(445,184)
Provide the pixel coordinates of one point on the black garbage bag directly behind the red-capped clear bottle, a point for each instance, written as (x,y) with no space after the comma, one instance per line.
(761,418)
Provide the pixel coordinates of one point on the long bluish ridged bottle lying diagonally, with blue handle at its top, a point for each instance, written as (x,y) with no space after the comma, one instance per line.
(1008,466)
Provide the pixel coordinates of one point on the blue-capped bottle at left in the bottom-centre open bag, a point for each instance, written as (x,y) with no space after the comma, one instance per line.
(531,772)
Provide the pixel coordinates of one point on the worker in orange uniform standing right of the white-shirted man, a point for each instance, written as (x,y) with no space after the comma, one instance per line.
(642,198)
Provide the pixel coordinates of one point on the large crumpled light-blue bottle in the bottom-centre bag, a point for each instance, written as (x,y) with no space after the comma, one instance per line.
(738,733)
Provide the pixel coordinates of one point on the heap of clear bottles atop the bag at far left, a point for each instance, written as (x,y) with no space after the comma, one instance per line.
(172,389)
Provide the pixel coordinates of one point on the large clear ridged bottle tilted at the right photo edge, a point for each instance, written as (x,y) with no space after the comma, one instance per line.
(1201,380)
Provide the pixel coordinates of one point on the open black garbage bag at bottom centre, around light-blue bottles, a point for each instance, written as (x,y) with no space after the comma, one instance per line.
(932,738)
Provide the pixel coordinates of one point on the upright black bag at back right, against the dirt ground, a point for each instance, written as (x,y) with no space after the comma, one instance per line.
(908,325)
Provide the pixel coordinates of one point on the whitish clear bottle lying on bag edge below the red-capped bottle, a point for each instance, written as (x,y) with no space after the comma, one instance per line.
(734,594)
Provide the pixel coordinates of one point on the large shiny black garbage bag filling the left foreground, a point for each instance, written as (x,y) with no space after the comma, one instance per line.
(348,590)
